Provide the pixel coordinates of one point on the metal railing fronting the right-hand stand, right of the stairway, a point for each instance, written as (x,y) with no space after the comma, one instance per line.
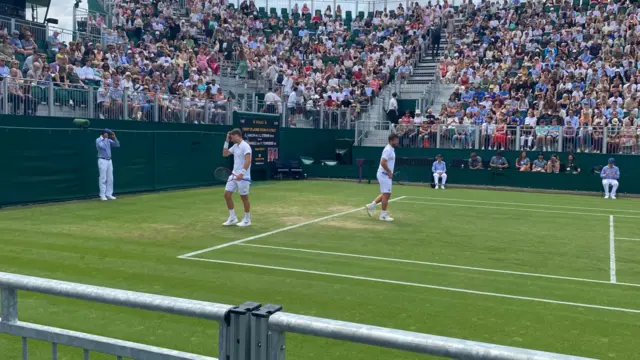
(455,135)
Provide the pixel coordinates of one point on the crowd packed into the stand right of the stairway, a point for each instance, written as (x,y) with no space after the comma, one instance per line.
(565,73)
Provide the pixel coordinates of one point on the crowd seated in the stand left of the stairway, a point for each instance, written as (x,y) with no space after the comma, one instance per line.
(155,54)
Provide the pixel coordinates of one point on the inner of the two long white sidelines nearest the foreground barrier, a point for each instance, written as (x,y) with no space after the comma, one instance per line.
(438,264)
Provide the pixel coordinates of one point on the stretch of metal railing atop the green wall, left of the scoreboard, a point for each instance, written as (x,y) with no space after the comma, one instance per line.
(46,98)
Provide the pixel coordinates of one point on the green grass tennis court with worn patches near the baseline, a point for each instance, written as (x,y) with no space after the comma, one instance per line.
(519,269)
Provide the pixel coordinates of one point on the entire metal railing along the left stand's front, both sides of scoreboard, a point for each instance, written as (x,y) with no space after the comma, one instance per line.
(47,98)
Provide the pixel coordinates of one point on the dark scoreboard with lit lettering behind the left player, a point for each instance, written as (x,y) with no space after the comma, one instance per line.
(263,134)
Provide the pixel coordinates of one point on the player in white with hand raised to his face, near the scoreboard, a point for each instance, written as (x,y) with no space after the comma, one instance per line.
(241,177)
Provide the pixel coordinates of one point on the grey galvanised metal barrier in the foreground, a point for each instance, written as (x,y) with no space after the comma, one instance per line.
(250,331)
